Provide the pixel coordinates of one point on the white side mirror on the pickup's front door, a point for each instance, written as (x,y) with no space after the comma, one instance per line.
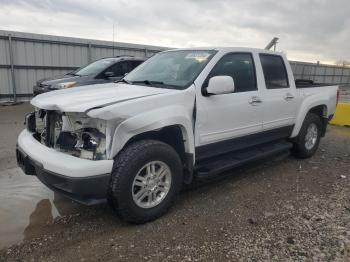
(220,85)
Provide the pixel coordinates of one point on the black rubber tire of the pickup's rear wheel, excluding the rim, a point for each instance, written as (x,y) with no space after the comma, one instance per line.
(299,145)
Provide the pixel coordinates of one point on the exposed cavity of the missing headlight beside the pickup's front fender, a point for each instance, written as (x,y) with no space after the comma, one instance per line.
(81,136)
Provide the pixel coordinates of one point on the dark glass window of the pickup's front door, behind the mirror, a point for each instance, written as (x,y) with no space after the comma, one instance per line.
(240,67)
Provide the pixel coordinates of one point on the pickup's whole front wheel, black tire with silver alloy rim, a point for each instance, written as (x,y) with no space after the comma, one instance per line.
(145,181)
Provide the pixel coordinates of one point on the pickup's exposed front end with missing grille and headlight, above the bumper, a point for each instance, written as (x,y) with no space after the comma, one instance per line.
(75,134)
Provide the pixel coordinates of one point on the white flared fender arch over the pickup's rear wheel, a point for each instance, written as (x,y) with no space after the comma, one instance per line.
(308,103)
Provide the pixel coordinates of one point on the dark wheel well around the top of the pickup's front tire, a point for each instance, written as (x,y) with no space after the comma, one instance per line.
(171,135)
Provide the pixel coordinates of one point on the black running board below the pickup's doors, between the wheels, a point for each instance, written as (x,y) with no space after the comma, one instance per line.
(219,164)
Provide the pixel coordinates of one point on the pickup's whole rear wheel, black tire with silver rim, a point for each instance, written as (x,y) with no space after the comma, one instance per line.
(309,136)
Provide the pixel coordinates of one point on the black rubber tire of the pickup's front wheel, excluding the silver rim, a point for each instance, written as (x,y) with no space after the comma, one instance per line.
(126,166)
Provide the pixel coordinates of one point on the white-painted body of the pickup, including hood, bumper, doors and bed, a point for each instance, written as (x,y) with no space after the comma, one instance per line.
(130,110)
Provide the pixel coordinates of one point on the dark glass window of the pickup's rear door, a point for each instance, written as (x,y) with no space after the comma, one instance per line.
(275,72)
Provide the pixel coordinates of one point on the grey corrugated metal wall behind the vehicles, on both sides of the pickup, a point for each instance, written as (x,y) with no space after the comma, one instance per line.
(26,58)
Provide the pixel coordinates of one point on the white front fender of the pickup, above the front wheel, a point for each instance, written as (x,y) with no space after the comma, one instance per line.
(136,116)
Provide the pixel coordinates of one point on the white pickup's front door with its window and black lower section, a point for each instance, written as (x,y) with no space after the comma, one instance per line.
(223,118)
